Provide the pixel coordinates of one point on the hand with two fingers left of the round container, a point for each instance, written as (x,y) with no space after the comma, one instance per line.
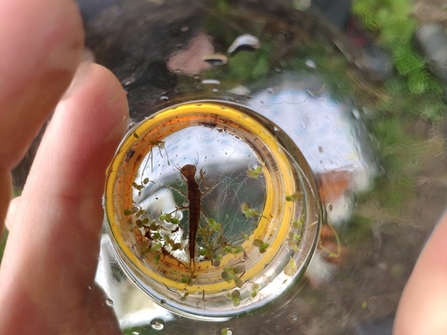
(48,269)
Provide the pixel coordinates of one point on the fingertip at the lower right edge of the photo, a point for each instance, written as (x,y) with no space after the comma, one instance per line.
(423,306)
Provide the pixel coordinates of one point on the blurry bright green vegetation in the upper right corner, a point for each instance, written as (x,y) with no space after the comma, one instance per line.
(411,95)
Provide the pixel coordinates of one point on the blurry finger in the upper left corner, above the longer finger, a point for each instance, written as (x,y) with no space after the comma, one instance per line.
(41,44)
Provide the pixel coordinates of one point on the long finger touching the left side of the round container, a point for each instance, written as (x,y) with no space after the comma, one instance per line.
(59,217)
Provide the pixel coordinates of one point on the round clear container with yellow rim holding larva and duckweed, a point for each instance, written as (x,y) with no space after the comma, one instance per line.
(212,209)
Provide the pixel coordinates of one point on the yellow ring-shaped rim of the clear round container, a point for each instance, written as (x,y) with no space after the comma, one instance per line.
(147,134)
